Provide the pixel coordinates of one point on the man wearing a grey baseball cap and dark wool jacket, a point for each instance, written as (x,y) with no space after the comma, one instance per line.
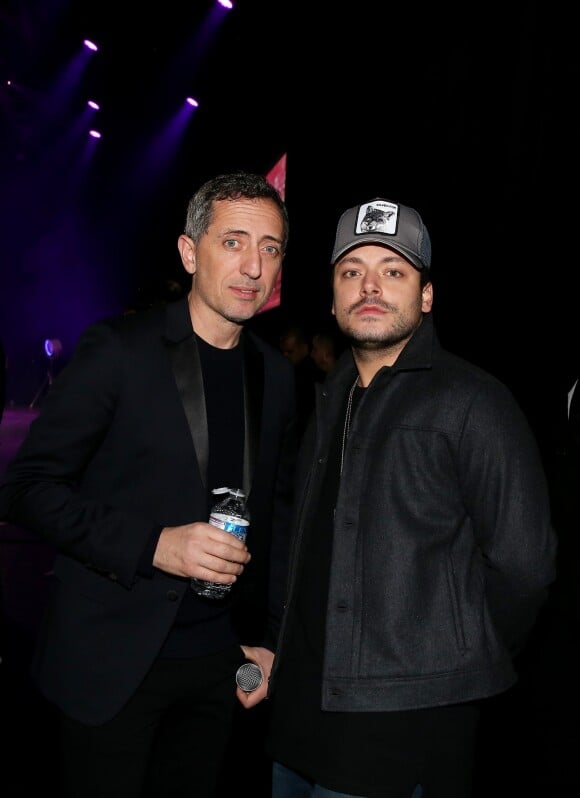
(423,548)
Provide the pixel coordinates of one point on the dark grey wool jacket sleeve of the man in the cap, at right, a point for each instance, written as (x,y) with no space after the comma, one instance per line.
(506,493)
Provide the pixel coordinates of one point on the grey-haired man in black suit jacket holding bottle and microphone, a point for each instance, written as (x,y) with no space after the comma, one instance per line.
(153,411)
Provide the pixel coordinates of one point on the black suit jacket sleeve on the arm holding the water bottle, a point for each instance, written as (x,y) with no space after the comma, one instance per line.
(41,486)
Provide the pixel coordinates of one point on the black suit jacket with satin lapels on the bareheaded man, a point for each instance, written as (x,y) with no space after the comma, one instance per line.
(119,451)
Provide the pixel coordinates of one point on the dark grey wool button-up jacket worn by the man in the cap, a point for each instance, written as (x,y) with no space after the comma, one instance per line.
(443,550)
